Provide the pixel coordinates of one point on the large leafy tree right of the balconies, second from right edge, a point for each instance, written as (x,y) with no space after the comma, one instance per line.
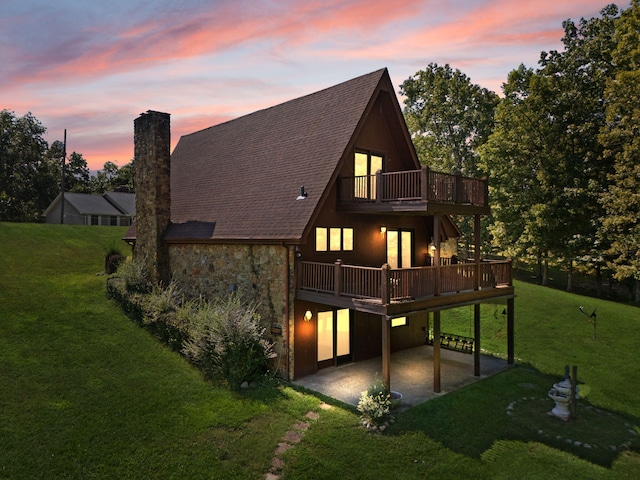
(547,130)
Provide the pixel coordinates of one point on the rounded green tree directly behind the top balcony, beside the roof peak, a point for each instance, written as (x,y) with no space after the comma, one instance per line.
(448,118)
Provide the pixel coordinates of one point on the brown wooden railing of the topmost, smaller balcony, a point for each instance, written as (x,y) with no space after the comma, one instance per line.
(414,185)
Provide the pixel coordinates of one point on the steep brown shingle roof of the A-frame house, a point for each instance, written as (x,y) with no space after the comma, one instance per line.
(245,175)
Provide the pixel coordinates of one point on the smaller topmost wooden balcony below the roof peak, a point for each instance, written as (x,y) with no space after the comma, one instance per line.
(415,191)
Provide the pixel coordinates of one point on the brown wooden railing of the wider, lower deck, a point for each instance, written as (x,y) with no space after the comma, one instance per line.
(388,285)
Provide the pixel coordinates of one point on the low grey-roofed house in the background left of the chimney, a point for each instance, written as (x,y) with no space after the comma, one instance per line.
(111,209)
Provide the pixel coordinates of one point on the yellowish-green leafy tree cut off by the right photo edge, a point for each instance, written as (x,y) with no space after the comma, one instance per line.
(621,138)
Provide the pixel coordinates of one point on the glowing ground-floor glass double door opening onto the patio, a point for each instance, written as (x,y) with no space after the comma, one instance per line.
(334,338)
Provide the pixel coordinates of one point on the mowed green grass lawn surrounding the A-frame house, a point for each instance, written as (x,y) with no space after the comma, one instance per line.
(85,393)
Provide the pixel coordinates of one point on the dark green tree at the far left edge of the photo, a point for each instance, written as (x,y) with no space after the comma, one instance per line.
(27,176)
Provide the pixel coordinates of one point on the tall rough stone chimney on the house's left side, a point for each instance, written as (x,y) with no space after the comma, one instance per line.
(152,154)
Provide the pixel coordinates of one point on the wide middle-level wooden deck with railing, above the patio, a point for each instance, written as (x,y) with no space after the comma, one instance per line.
(387,291)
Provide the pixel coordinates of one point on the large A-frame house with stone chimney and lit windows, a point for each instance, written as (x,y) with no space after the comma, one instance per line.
(319,209)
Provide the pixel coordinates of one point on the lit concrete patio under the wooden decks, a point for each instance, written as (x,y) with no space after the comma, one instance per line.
(411,375)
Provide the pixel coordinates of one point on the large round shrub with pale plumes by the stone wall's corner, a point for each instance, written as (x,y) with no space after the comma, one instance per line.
(226,339)
